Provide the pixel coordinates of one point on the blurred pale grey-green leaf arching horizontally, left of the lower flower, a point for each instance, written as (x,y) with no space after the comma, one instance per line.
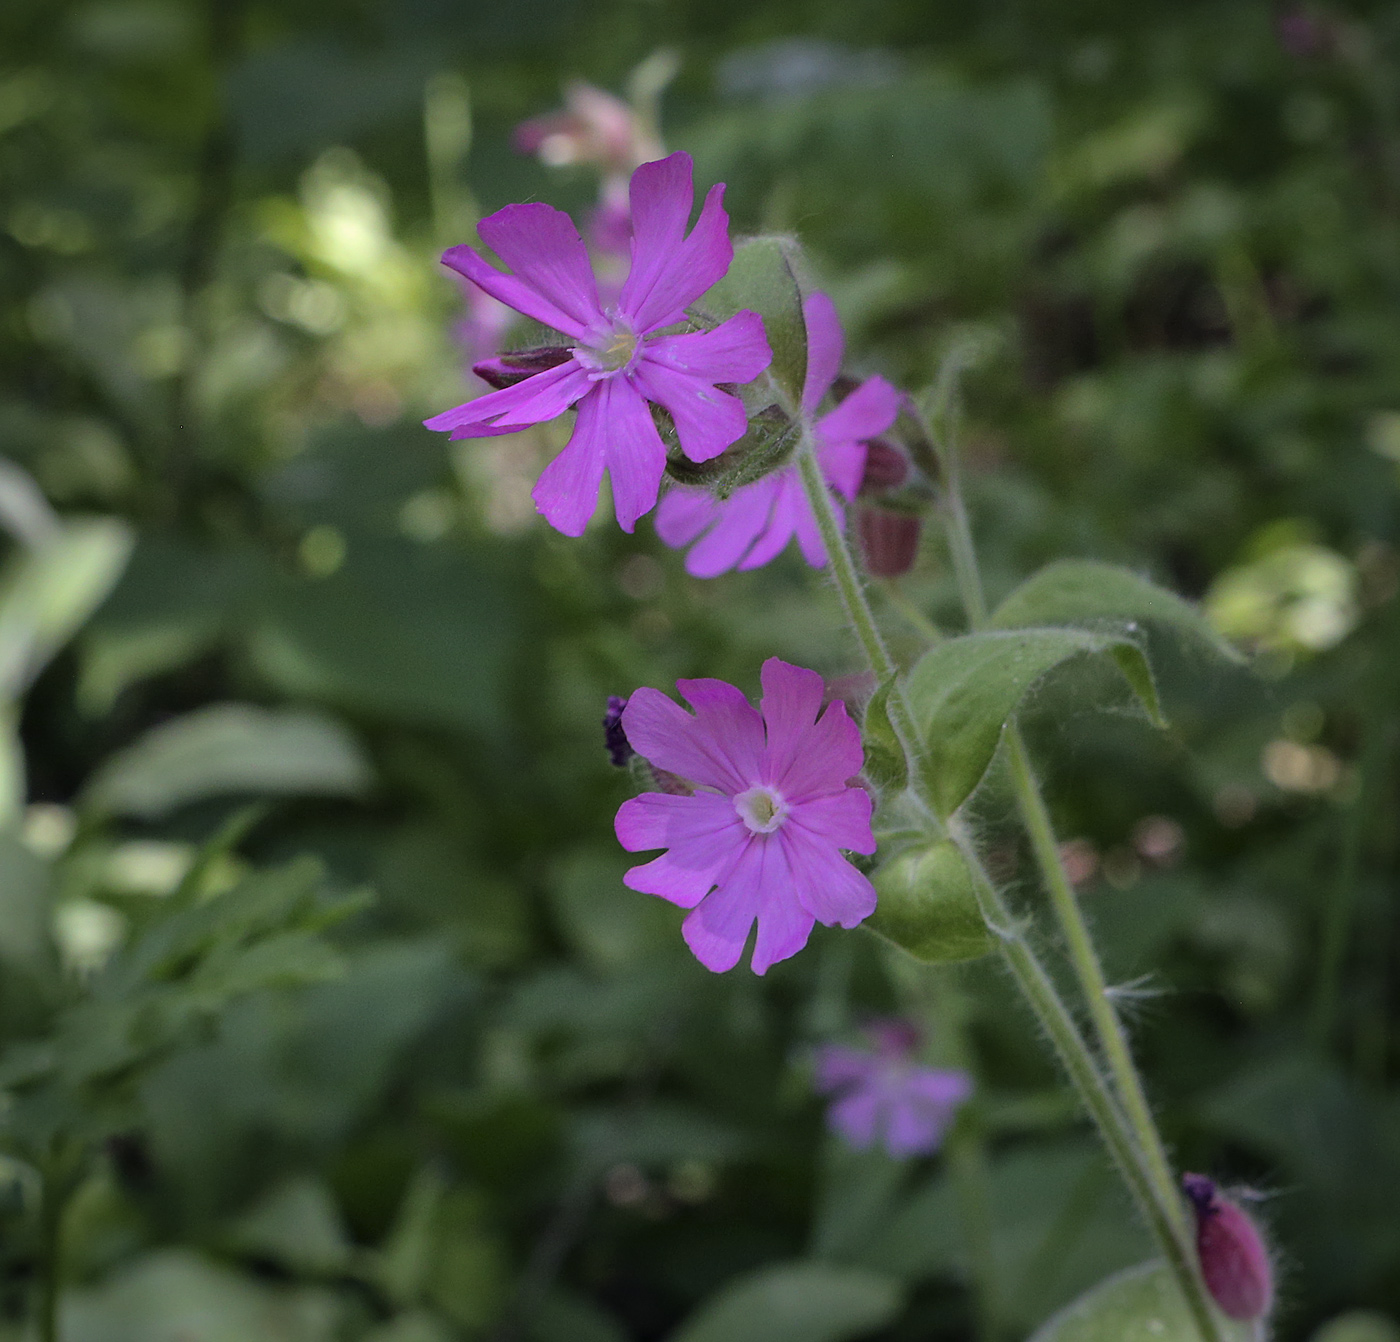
(227,749)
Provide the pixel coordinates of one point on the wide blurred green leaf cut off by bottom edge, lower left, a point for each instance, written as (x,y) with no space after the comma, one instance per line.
(178,1297)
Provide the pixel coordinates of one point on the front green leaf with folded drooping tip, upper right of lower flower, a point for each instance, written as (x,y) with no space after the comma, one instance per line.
(968,689)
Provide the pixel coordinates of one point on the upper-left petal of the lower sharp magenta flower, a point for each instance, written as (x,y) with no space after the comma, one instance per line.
(663,733)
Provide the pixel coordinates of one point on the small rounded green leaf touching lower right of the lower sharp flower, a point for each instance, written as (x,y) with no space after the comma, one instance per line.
(927,906)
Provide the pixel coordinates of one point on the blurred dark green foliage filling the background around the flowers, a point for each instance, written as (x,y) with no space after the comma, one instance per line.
(397,1057)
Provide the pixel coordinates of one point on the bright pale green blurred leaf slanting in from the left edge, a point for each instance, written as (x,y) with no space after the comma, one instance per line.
(51,590)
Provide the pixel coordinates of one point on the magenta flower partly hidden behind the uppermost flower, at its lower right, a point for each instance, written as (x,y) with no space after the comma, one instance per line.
(755,523)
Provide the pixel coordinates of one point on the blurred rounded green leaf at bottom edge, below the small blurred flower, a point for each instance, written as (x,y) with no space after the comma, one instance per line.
(800,1302)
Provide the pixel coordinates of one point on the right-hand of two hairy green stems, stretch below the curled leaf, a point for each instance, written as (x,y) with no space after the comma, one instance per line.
(1108,1028)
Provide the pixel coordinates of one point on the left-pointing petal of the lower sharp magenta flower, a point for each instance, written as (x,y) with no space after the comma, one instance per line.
(703,835)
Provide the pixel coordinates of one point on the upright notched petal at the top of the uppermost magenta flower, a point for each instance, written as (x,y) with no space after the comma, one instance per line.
(670,272)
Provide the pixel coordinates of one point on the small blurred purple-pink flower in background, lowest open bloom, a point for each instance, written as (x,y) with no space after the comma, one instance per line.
(884,1096)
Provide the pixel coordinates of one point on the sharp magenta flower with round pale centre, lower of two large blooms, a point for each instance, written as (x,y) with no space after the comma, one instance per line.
(762,836)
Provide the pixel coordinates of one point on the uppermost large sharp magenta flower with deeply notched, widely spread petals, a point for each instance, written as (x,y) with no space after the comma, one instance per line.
(619,362)
